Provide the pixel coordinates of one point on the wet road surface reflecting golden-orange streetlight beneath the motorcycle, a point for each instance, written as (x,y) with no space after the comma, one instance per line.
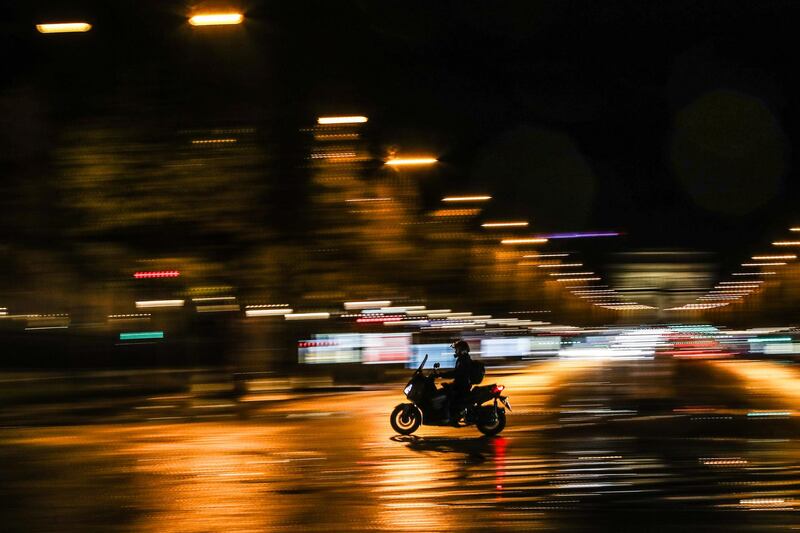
(626,445)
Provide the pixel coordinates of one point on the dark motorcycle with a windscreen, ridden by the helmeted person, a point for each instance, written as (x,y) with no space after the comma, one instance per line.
(429,405)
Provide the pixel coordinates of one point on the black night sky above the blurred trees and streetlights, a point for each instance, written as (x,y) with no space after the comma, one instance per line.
(674,122)
